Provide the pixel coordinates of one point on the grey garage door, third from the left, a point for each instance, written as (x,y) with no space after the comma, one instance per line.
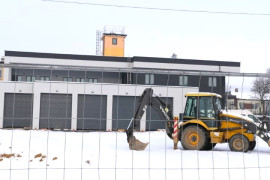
(92,110)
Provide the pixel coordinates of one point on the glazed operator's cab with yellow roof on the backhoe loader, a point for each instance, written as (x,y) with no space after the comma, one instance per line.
(203,106)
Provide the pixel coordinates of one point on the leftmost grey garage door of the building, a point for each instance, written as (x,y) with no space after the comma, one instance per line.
(18,111)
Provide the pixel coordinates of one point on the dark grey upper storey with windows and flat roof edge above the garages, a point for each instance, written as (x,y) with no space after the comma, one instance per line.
(205,83)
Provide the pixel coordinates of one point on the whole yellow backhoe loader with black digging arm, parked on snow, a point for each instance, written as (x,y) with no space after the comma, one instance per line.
(202,125)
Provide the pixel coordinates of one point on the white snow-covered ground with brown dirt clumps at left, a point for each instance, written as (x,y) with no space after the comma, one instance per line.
(105,156)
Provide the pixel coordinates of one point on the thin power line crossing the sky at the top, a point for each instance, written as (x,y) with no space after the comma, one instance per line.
(160,9)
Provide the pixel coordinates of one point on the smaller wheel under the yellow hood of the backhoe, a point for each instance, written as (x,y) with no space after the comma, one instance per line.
(239,143)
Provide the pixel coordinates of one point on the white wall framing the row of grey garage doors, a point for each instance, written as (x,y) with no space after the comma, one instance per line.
(36,88)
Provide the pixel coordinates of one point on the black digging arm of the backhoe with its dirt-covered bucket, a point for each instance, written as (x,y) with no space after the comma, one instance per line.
(163,110)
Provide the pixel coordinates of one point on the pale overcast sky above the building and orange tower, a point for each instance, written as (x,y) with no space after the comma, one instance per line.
(53,27)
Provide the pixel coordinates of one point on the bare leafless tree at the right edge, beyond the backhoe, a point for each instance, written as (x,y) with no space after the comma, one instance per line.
(261,89)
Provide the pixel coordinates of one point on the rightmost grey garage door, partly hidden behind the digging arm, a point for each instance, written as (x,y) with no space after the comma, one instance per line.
(153,120)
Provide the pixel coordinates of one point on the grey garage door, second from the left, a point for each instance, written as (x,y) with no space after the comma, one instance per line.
(55,111)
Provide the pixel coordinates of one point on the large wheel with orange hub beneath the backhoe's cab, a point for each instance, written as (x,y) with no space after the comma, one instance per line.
(194,138)
